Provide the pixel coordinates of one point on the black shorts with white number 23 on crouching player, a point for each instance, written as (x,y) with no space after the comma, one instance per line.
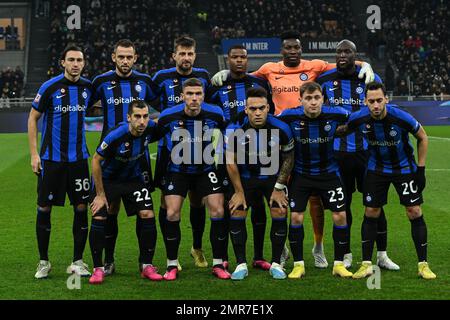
(328,186)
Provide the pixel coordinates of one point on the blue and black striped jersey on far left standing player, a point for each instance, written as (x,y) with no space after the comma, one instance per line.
(64,105)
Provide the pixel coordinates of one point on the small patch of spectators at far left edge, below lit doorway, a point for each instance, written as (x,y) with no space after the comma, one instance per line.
(11,85)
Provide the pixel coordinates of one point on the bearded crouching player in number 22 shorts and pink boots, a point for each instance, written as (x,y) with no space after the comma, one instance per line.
(119,170)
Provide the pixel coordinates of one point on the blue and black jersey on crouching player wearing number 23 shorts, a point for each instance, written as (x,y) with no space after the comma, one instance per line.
(313,138)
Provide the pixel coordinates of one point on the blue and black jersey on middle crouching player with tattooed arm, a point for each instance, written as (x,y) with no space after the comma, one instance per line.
(257,151)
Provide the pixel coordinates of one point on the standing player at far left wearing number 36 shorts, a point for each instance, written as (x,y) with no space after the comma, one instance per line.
(61,165)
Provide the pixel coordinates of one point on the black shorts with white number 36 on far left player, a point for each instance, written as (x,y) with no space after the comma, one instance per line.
(58,178)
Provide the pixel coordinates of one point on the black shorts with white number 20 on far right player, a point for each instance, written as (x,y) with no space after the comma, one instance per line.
(376,188)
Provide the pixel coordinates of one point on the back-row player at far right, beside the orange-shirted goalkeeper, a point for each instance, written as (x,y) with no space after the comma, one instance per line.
(342,87)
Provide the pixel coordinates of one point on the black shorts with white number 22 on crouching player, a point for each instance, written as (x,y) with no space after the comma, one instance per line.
(136,196)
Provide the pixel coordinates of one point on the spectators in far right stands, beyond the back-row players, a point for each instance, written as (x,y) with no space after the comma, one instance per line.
(416,36)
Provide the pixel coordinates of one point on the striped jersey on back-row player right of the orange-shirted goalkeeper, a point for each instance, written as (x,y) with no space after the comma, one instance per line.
(345,91)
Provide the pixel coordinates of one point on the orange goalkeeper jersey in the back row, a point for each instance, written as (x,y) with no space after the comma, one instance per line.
(286,81)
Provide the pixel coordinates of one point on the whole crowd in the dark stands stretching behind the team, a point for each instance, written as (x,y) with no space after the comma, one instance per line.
(413,41)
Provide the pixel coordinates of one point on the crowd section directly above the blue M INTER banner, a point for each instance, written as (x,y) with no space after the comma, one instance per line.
(268,18)
